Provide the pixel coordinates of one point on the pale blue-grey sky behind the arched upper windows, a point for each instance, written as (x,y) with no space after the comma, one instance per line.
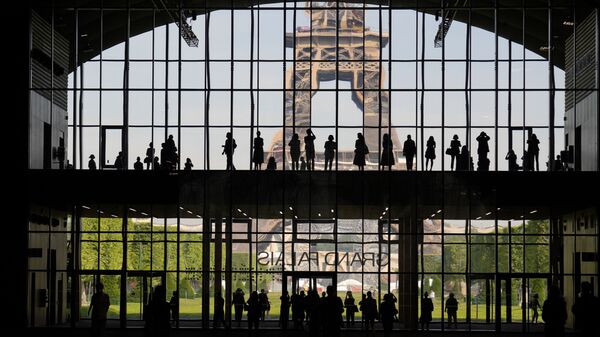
(269,34)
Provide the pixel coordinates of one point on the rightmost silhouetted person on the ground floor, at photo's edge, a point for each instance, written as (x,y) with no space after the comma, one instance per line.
(587,311)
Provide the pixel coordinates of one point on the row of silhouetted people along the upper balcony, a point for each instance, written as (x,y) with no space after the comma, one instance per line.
(460,157)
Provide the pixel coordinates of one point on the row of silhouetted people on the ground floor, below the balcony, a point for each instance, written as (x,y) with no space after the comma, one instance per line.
(323,315)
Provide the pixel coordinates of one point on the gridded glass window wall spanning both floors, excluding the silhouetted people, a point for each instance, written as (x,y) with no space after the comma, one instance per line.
(338,69)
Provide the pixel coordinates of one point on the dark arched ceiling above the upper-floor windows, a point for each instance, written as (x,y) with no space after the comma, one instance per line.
(510,22)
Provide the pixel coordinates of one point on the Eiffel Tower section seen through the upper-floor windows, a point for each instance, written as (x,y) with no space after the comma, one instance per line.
(358,51)
